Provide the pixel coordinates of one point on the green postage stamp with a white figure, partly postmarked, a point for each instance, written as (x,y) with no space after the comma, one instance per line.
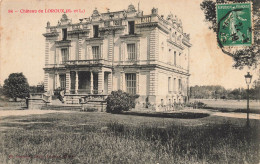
(234,24)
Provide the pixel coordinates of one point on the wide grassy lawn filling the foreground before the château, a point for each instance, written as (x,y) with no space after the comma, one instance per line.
(84,137)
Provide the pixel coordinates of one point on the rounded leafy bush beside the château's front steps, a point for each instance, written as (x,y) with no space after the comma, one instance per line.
(119,101)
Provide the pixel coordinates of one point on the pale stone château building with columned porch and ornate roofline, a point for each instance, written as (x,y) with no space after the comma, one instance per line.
(141,54)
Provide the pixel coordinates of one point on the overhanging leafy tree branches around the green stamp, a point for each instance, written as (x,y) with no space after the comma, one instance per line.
(247,56)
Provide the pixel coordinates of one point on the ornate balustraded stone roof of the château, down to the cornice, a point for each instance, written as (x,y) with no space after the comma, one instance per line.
(113,21)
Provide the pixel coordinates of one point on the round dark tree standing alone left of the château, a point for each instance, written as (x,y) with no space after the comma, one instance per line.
(16,86)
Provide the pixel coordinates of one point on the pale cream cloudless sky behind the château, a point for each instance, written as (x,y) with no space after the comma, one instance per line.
(22,43)
